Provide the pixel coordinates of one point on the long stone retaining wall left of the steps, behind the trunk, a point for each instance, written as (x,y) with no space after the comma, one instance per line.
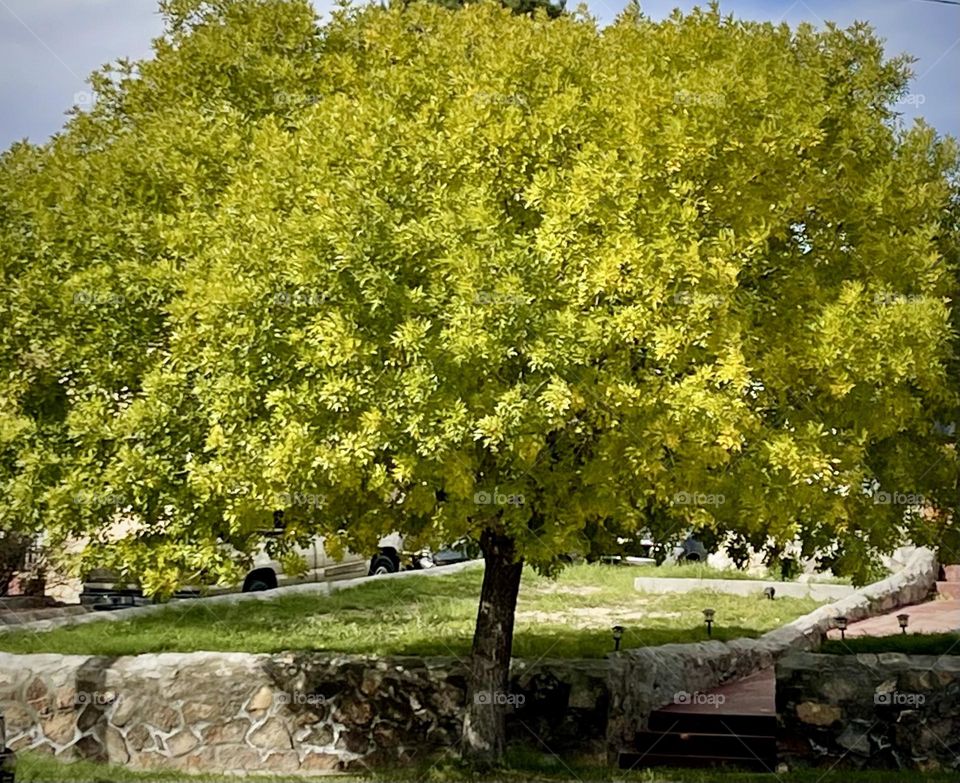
(233,712)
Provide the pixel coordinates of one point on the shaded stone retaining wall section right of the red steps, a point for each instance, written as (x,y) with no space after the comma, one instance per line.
(887,710)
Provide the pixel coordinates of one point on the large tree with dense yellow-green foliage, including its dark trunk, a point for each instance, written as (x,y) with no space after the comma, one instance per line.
(476,274)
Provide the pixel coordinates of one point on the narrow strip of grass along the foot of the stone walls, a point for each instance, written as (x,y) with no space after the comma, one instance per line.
(523,767)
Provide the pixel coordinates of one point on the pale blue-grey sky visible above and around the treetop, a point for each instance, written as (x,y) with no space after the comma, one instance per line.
(48,48)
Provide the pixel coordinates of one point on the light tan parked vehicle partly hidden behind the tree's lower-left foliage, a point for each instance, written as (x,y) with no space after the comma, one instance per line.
(102,590)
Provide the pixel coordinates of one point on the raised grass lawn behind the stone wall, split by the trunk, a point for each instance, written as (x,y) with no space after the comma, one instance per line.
(433,615)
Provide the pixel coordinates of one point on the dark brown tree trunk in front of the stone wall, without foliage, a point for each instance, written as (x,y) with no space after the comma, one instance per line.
(488,698)
